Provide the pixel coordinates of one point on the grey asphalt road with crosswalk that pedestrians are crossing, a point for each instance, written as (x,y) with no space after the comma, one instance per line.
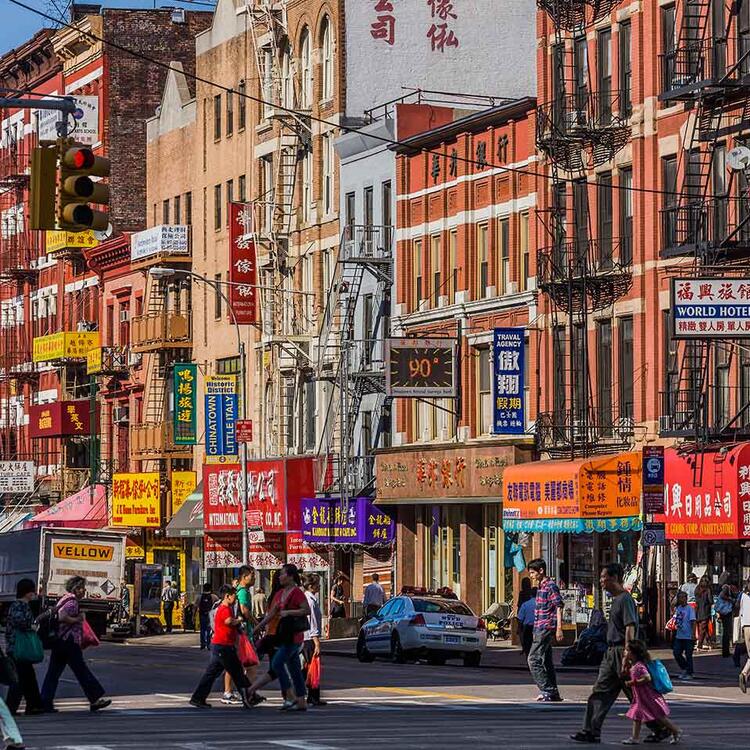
(369,705)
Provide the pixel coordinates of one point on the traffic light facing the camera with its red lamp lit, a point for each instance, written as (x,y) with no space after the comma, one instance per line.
(76,189)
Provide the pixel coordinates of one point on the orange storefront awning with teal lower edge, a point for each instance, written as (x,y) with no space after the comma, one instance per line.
(587,495)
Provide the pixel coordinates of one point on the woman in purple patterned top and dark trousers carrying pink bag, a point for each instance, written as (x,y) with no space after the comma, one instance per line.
(66,650)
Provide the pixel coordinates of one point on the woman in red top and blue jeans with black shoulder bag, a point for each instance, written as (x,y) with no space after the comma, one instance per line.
(287,614)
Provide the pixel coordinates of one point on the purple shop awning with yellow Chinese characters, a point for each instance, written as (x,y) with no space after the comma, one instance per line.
(325,520)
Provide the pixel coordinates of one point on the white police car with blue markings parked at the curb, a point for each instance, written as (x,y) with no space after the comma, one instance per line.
(431,627)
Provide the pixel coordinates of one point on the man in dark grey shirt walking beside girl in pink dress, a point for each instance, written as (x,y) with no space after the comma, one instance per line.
(622,629)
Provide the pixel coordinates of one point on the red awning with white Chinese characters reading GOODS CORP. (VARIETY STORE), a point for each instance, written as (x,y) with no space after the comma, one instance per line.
(707,496)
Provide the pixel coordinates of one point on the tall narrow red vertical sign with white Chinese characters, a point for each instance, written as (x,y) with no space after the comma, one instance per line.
(243,265)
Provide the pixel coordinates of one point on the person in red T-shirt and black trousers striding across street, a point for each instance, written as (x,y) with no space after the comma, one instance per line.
(224,656)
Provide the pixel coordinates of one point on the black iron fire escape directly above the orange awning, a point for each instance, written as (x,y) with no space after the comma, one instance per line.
(584,269)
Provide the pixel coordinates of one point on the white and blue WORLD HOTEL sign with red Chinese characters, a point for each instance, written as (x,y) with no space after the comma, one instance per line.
(711,308)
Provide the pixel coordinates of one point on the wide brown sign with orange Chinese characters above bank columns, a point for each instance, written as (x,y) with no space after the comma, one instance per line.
(461,473)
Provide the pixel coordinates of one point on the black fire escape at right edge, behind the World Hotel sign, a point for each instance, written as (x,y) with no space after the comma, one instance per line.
(708,221)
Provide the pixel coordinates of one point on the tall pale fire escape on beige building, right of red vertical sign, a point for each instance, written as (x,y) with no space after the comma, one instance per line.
(286,334)
